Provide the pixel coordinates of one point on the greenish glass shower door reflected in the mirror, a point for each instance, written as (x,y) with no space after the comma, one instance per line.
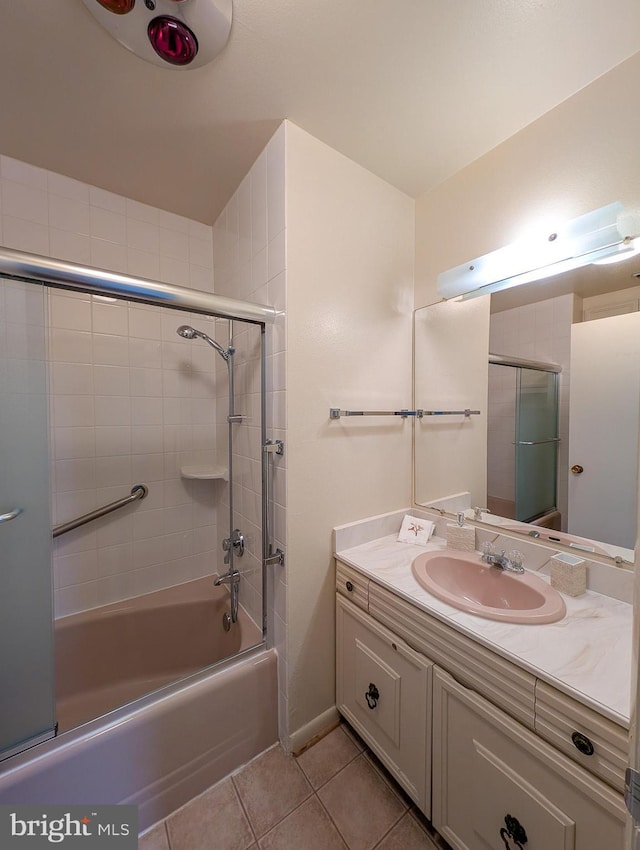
(536,443)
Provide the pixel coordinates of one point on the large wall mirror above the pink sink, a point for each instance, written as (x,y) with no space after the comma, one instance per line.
(553,369)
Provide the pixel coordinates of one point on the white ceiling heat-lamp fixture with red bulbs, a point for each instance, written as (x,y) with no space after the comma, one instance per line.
(172,33)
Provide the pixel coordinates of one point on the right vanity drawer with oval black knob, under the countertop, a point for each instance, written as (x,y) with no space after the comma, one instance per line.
(558,718)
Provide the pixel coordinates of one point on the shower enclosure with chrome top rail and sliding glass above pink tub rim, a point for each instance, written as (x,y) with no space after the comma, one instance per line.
(195,423)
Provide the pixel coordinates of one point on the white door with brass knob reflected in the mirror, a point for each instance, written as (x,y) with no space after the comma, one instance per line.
(603,429)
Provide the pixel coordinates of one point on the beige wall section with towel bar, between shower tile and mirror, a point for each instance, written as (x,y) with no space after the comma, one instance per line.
(349,283)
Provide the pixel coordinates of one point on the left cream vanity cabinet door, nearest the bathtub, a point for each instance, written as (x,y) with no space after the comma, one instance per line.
(384,691)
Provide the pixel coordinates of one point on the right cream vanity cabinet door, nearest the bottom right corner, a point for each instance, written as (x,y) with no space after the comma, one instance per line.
(496,785)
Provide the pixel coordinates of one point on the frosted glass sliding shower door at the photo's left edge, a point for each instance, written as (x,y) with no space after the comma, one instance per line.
(27,713)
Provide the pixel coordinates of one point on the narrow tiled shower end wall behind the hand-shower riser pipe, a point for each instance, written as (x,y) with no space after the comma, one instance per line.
(249,248)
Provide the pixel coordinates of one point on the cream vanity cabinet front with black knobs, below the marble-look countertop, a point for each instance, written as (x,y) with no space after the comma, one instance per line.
(489,741)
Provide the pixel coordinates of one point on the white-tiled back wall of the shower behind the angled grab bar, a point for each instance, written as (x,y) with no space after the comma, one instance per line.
(130,400)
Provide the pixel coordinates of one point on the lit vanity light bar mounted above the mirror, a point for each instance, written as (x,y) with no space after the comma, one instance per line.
(597,235)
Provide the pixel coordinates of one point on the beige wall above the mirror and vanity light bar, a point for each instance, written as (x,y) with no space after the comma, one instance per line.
(576,158)
